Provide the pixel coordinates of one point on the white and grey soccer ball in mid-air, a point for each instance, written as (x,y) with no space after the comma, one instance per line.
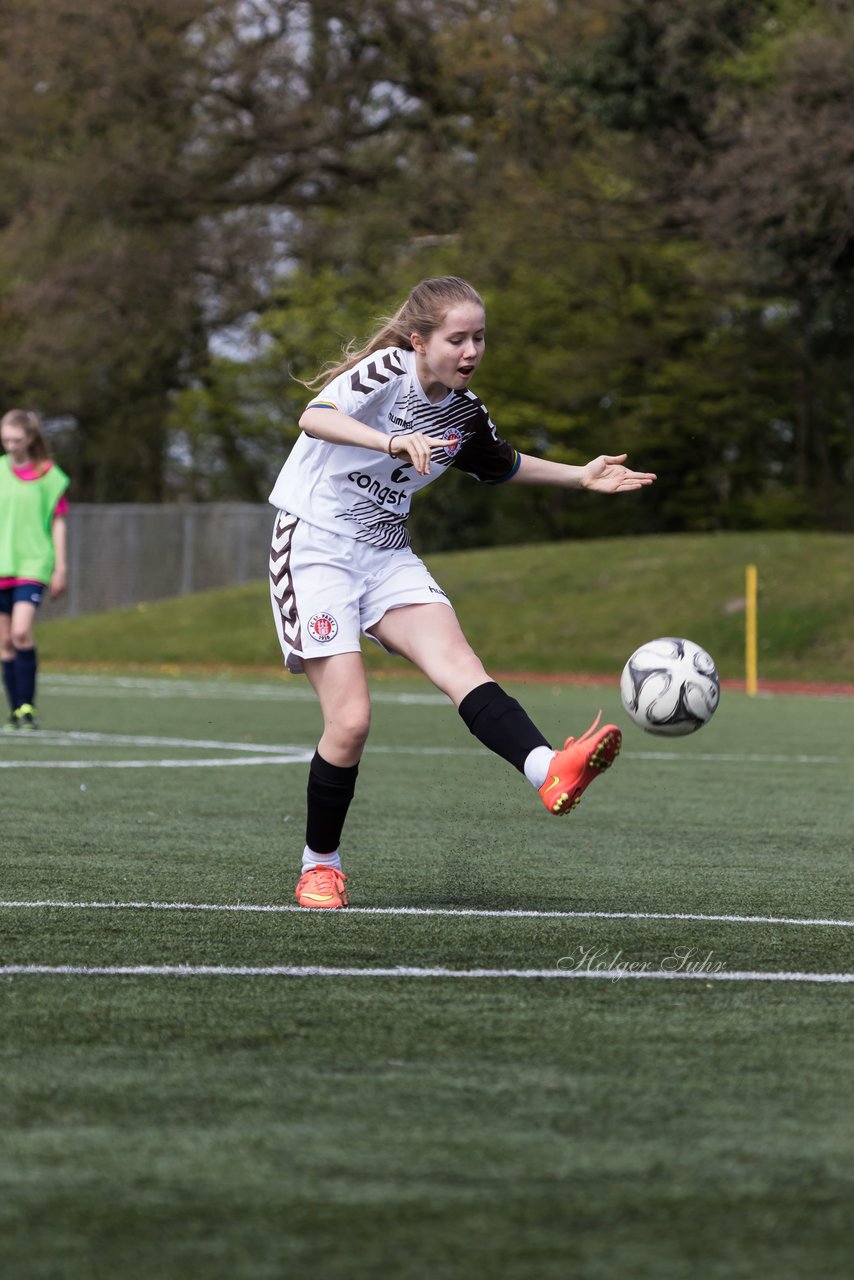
(670,687)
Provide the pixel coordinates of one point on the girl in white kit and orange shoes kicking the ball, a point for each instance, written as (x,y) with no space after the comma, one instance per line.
(387,422)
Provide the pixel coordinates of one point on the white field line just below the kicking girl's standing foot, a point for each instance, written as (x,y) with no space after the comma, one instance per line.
(467,913)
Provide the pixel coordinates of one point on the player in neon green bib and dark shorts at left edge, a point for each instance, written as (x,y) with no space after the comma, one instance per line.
(33,552)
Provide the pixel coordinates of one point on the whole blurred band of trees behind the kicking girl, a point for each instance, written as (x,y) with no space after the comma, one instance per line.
(198,212)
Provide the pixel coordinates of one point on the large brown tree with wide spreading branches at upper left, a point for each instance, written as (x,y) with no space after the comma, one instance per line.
(159,158)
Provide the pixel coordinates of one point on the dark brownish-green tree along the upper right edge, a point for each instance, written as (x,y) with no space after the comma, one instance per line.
(743,118)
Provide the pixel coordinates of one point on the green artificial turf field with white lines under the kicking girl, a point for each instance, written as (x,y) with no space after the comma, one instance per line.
(532,1049)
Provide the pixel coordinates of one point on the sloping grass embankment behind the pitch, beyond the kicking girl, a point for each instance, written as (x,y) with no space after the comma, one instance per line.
(560,609)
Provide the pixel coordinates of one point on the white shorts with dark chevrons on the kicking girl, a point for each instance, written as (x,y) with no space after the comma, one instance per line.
(327,591)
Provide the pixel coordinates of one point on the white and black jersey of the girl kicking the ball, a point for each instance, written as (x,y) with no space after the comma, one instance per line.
(366,495)
